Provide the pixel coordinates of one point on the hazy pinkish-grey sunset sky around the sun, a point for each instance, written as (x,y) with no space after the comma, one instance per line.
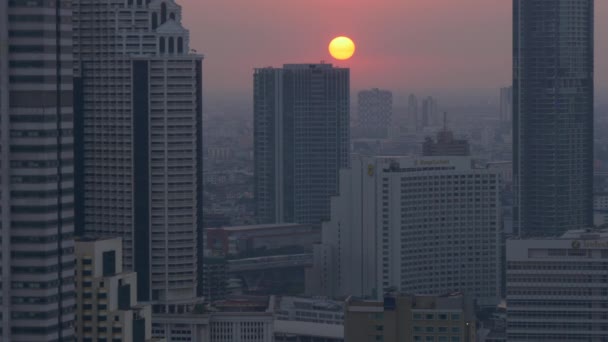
(450,47)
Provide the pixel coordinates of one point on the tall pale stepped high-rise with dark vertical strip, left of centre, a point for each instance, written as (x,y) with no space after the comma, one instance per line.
(139,138)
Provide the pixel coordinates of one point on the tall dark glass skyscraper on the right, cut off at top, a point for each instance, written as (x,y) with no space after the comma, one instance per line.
(553,115)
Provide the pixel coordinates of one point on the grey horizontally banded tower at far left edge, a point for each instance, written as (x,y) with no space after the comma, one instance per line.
(36,210)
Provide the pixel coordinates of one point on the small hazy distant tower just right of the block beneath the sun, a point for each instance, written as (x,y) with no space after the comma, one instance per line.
(375,112)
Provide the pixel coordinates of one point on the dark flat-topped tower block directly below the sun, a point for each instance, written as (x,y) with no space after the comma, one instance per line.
(301,140)
